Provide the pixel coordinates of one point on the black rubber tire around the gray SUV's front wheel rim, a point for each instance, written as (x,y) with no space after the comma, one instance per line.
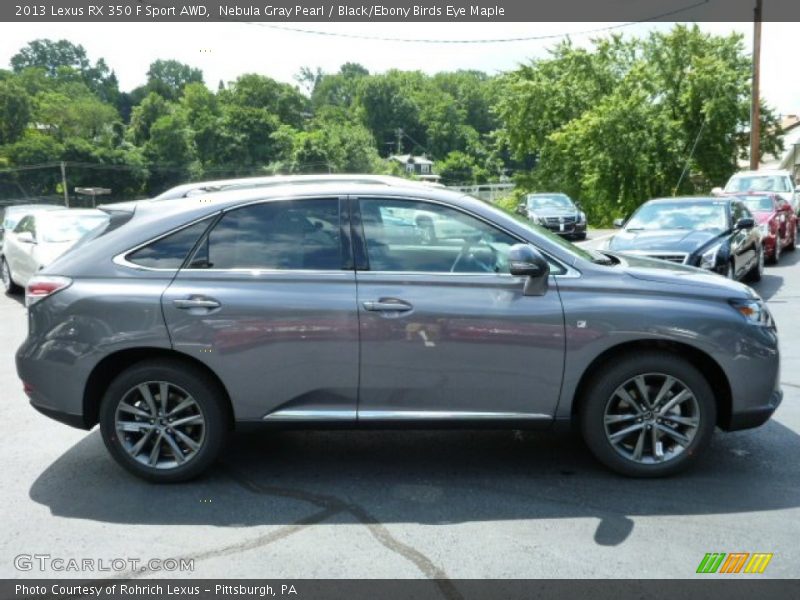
(601,392)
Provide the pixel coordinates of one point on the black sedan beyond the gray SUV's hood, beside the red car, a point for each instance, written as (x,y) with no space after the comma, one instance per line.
(717,234)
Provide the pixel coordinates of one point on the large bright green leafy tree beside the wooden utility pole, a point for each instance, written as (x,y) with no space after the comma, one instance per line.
(615,125)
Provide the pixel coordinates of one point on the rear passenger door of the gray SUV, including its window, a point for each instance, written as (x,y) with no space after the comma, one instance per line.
(268,301)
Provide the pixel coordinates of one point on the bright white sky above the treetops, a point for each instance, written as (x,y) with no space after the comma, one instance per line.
(225,50)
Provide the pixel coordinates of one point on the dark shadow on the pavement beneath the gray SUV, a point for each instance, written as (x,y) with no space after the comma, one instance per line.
(427,477)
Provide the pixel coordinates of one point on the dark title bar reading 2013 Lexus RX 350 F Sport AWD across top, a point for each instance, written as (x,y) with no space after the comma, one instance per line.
(298,11)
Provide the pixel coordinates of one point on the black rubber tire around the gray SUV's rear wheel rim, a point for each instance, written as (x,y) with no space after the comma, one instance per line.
(210,402)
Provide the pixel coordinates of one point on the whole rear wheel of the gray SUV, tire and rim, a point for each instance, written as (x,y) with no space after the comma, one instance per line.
(164,421)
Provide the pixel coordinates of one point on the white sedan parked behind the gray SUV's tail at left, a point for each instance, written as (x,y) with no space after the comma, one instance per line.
(40,238)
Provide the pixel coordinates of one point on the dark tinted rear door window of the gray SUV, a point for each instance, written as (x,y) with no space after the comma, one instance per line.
(280,235)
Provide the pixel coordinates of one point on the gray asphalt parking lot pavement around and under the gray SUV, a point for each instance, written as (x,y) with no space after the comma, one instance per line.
(405,504)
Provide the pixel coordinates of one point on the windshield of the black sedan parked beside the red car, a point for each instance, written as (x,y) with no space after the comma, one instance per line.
(696,216)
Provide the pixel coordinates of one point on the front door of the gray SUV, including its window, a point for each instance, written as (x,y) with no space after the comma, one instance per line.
(446,332)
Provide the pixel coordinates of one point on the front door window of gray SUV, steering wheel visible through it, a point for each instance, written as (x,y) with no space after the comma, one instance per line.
(413,236)
